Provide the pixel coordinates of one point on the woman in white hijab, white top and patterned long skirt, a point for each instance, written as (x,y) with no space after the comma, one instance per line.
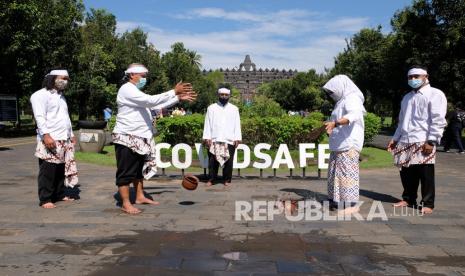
(346,134)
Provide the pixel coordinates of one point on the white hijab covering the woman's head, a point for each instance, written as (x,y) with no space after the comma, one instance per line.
(342,86)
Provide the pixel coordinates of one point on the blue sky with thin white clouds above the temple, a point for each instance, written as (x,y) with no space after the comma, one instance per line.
(291,34)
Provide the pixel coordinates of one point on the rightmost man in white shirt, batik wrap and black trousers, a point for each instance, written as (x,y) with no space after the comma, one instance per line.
(421,125)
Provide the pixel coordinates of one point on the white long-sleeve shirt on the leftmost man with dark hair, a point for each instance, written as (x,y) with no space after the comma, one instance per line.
(51,114)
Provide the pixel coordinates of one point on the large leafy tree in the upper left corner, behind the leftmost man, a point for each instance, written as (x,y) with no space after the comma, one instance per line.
(46,30)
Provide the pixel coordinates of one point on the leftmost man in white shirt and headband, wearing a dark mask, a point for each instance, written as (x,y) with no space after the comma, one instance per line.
(55,140)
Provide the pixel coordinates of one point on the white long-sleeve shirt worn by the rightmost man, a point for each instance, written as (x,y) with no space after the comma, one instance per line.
(422,116)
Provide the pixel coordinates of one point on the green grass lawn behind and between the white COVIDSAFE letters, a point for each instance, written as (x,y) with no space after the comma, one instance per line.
(371,158)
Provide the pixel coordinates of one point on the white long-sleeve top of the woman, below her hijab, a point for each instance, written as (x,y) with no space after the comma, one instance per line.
(348,136)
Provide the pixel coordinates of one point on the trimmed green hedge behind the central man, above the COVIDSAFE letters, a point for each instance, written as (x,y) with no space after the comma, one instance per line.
(290,130)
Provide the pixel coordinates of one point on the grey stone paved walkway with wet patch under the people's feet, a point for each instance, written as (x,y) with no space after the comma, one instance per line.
(195,233)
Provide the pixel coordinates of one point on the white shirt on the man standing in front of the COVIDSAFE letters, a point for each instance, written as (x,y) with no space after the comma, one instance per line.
(222,124)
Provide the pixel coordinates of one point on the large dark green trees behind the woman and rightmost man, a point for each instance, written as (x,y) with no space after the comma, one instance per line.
(429,33)
